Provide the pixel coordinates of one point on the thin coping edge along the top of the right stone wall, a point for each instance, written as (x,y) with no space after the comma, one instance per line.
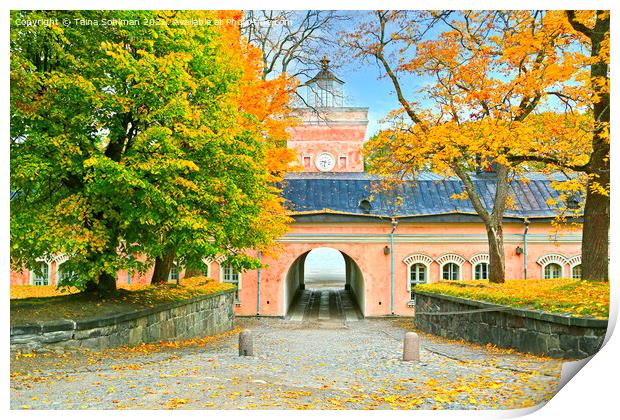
(564,319)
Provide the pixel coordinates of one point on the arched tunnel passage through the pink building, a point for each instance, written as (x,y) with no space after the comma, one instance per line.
(324,284)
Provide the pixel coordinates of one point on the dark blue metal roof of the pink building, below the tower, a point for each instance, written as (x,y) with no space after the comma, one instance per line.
(429,194)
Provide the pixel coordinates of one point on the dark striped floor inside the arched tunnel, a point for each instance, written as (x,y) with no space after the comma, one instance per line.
(327,305)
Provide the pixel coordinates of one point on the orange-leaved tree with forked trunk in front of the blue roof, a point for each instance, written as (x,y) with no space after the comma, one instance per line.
(489,79)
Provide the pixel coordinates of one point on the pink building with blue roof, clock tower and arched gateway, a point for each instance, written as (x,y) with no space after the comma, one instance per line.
(387,247)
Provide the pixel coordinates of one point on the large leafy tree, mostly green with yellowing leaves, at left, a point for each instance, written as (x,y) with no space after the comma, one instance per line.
(132,141)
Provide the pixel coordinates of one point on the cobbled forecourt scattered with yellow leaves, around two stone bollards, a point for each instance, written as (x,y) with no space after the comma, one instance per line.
(296,366)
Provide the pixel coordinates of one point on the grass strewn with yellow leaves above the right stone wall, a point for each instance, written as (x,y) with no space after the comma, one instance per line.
(566,296)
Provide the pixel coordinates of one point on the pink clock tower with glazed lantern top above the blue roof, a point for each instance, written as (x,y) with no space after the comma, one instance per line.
(331,134)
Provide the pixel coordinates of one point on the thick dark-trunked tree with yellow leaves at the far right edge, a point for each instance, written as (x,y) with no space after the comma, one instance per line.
(589,92)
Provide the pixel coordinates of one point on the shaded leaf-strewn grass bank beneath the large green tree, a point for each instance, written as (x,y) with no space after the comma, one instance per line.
(45,303)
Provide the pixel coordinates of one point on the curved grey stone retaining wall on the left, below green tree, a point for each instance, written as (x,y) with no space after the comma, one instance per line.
(192,318)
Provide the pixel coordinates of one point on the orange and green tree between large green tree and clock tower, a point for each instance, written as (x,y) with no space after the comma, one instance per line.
(260,110)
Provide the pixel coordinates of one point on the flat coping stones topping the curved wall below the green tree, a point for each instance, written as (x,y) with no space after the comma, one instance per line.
(105,320)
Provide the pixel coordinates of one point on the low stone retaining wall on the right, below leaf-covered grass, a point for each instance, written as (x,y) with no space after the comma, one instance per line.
(529,331)
